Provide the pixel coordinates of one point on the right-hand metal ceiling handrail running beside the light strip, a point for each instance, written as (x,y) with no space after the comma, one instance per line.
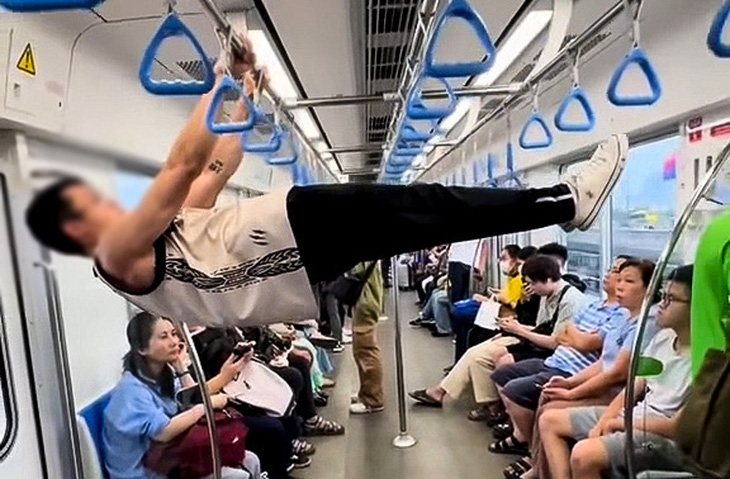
(574,45)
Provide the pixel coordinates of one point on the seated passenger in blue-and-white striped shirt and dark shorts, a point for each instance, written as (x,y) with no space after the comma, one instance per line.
(520,384)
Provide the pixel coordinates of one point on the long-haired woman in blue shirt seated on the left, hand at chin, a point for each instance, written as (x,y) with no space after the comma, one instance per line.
(143,407)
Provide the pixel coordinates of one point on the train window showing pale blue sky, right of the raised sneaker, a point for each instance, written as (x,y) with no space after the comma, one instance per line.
(644,202)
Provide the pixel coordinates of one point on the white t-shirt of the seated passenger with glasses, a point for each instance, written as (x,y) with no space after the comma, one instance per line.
(667,392)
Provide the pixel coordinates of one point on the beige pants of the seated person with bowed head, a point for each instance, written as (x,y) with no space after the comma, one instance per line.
(476,368)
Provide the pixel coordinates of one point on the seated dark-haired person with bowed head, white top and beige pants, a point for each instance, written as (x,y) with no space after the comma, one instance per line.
(560,302)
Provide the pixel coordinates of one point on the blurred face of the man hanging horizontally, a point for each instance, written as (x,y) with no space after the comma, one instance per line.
(92,213)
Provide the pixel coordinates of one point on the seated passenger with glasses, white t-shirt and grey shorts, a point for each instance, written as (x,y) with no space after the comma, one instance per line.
(660,395)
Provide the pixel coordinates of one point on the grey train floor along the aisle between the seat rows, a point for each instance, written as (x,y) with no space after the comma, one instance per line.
(449,445)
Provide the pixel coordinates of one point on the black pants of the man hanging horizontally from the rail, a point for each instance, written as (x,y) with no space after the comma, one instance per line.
(378,221)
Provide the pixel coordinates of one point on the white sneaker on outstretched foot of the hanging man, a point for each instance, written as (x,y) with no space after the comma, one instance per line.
(595,181)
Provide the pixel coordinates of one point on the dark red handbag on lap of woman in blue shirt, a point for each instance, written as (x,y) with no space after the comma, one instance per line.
(188,455)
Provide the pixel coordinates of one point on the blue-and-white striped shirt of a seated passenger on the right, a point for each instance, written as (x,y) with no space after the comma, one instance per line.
(592,319)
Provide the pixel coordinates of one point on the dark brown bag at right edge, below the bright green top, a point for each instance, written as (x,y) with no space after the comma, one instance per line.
(704,421)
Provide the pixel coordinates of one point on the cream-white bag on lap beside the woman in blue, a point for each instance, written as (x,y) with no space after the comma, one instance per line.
(258,386)
